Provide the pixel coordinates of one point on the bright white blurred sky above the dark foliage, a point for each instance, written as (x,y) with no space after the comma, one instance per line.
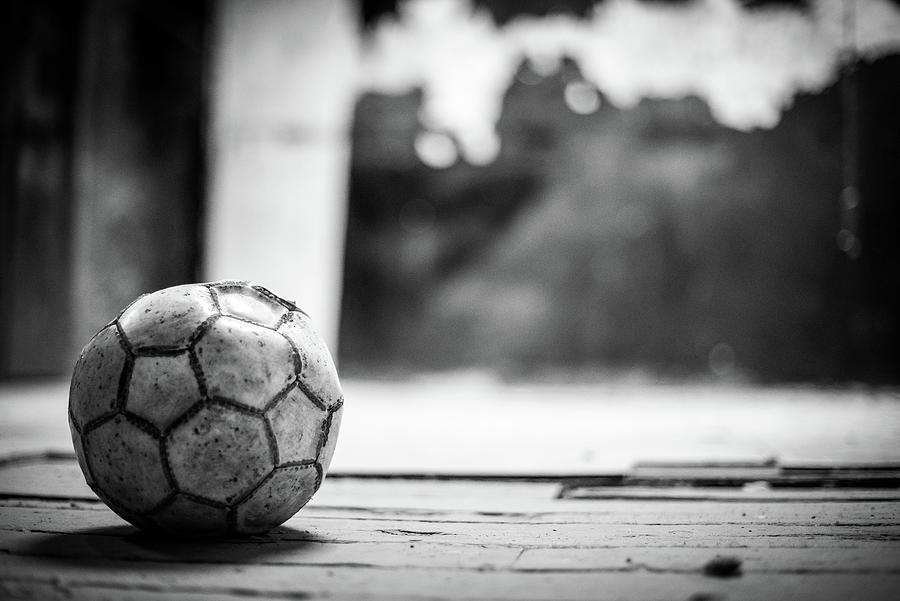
(747,65)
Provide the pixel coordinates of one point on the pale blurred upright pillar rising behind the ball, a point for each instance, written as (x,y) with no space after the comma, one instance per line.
(283,89)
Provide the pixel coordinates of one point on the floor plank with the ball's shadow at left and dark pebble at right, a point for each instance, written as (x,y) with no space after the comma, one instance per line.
(418,554)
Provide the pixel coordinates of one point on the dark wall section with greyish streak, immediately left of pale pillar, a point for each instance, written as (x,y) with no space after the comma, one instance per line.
(139,164)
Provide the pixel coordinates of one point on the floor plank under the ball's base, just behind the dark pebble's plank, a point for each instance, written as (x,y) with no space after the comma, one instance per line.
(516,535)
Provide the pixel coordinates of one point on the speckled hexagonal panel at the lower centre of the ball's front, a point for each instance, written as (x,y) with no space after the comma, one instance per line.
(219,452)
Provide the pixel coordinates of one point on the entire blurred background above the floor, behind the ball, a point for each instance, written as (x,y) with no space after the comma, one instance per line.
(670,190)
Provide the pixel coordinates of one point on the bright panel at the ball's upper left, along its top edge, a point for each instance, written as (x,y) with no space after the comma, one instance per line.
(167,318)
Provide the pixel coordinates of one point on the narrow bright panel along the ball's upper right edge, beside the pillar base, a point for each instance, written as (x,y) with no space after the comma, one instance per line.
(318,373)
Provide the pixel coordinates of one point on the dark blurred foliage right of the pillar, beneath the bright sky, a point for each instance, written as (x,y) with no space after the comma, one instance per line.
(652,238)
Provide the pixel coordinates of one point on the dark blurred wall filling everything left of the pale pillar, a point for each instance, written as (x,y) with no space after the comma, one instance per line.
(101,166)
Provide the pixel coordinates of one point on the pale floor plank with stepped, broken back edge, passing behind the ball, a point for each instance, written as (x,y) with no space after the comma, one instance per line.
(59,477)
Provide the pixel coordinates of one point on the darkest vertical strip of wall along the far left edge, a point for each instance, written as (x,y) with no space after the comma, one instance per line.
(41,42)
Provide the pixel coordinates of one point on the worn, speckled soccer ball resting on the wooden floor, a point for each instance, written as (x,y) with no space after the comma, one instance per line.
(206,410)
